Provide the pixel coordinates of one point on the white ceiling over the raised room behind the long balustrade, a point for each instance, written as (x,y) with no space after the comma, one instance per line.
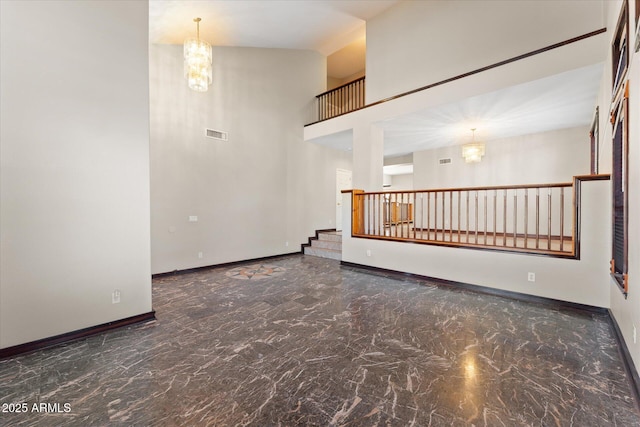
(561,101)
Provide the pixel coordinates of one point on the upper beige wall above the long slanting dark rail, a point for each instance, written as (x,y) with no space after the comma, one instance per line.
(416,43)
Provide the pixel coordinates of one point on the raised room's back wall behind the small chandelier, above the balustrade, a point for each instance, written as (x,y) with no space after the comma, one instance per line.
(549,157)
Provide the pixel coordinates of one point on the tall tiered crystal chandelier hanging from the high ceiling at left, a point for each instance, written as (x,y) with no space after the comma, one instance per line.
(197,61)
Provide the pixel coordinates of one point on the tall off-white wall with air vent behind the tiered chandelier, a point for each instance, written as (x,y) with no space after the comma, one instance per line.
(257,191)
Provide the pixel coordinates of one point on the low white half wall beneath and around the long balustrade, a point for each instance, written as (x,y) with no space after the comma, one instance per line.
(580,281)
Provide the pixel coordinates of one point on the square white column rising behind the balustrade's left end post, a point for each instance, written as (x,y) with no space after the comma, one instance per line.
(368,157)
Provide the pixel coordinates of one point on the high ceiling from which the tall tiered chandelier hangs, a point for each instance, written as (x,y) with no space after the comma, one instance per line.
(322,25)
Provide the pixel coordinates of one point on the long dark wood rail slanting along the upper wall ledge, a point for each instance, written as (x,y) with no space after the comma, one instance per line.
(469,73)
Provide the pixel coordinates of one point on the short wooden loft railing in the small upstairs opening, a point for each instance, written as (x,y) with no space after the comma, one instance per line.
(341,100)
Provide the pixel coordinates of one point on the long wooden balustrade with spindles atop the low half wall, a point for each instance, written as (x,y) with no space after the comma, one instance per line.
(540,219)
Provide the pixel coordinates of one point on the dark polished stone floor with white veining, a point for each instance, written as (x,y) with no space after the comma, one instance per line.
(301,341)
